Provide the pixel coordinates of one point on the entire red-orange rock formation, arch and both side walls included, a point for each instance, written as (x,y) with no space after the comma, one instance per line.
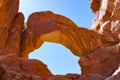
(98,47)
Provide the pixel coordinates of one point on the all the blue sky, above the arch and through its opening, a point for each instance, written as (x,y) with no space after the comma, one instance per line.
(58,58)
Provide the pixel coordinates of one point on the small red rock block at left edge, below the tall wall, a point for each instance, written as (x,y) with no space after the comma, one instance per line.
(10,62)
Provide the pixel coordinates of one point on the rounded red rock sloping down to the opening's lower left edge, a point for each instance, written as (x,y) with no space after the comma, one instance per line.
(35,67)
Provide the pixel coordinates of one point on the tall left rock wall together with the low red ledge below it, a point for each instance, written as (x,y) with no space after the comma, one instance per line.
(11,32)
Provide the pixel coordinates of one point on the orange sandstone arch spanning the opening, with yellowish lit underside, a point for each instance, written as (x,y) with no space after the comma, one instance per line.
(47,26)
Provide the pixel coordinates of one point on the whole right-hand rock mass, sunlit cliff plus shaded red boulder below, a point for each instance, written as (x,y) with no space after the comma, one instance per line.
(106,59)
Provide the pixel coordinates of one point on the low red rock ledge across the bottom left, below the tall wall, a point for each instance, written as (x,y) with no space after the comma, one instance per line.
(23,69)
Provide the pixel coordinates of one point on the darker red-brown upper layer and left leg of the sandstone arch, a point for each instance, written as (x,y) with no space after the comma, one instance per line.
(45,22)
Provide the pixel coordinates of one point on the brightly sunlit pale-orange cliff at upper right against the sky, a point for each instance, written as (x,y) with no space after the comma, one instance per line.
(107,20)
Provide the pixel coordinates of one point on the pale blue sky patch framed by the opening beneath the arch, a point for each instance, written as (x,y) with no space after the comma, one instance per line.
(59,59)
